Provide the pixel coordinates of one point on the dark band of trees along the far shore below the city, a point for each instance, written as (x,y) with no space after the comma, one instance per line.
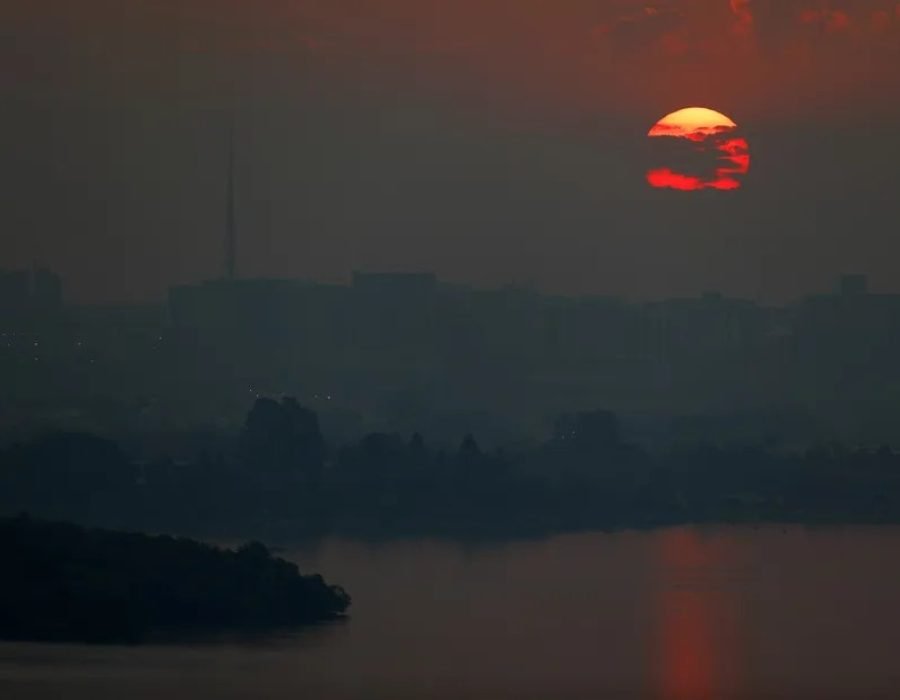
(280,479)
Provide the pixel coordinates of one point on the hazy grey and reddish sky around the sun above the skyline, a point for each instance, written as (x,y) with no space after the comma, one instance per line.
(491,141)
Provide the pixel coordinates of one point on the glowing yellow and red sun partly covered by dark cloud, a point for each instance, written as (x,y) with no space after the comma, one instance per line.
(698,149)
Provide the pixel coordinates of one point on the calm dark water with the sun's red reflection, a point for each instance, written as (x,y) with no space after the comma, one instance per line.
(678,614)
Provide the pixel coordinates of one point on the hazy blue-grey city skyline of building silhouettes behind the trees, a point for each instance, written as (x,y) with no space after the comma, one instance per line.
(407,352)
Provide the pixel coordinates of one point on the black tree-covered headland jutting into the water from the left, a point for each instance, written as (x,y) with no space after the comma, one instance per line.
(62,582)
